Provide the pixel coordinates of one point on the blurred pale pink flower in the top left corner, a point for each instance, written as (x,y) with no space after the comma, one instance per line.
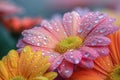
(7,8)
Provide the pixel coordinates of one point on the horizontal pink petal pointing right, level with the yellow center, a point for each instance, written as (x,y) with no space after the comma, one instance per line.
(97,41)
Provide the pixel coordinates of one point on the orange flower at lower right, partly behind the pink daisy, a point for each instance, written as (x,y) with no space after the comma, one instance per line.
(106,68)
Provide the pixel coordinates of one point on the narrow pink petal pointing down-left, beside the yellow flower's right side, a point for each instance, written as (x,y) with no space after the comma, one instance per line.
(56,62)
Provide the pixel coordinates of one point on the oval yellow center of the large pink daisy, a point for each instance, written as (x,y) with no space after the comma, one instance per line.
(72,42)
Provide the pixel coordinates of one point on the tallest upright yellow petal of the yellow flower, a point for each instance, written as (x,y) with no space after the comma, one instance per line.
(25,59)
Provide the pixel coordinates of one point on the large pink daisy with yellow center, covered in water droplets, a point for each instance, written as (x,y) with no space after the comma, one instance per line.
(73,40)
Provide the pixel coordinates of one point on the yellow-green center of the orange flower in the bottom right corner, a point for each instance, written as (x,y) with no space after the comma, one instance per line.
(115,74)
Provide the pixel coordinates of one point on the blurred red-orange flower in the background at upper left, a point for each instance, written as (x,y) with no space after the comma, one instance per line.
(17,25)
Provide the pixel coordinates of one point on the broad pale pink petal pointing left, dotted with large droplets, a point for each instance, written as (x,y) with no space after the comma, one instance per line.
(39,37)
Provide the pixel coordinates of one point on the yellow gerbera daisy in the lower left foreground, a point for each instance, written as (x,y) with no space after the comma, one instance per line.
(26,66)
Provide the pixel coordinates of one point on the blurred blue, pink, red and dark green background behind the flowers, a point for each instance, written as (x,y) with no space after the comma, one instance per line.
(17,15)
